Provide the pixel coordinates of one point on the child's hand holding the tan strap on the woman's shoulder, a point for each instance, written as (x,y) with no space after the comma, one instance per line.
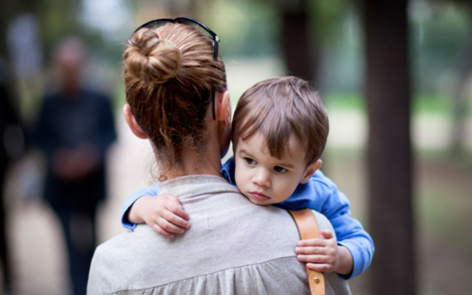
(324,255)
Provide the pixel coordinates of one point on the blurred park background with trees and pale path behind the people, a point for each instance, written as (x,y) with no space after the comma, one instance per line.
(395,77)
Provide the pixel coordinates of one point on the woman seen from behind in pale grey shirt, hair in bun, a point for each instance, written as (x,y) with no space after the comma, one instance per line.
(176,94)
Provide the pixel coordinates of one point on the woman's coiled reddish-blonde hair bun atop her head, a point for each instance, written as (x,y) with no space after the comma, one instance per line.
(150,58)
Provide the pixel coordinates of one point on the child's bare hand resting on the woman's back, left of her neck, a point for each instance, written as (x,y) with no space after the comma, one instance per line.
(163,213)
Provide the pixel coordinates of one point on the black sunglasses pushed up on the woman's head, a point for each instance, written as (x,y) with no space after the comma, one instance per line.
(194,24)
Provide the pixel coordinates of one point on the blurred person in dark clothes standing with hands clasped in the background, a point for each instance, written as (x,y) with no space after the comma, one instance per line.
(74,130)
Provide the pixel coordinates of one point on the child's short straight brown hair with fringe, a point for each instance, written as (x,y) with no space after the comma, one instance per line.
(279,108)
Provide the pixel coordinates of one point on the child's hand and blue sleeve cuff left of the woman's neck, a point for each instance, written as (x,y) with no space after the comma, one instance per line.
(163,213)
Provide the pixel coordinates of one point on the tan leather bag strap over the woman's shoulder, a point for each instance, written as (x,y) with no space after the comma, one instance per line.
(308,229)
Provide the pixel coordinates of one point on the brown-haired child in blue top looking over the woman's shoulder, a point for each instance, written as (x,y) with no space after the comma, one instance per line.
(279,132)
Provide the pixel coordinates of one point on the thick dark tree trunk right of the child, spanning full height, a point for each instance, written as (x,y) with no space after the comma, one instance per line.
(393,270)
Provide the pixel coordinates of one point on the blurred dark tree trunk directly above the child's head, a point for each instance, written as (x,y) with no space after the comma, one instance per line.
(300,54)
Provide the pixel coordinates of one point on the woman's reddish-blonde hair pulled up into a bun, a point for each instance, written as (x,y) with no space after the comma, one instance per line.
(169,72)
